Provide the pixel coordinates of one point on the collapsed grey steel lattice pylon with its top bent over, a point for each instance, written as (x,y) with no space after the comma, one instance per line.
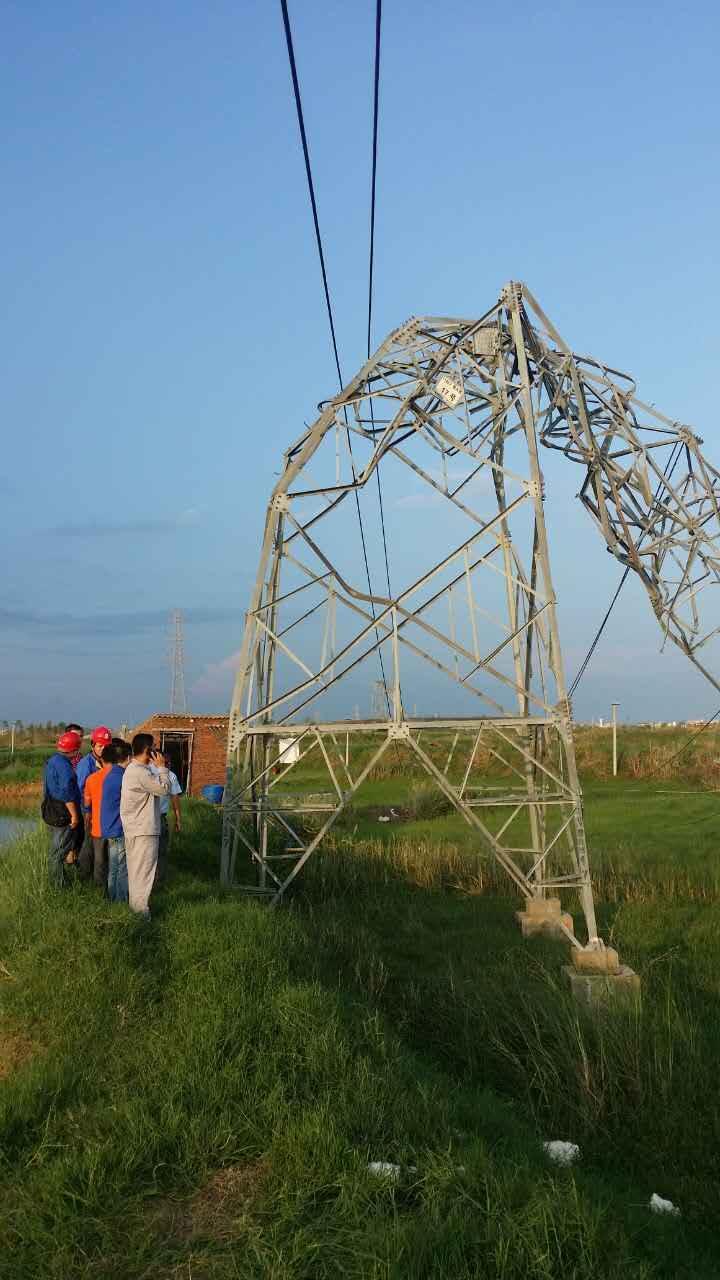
(453,412)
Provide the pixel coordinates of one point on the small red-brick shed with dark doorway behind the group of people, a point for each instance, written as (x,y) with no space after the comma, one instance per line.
(195,747)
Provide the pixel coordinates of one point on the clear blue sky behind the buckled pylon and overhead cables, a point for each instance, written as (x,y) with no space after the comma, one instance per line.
(165,333)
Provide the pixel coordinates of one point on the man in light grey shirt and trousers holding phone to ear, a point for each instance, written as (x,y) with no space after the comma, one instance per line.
(140,816)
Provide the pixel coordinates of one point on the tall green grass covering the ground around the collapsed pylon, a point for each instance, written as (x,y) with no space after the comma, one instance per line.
(200,1098)
